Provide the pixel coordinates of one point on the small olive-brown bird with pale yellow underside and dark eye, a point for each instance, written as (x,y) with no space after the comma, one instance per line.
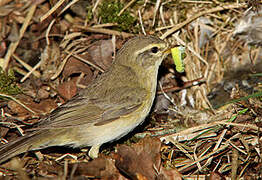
(108,109)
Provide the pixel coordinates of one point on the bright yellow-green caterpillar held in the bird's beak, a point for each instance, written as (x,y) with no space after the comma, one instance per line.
(178,55)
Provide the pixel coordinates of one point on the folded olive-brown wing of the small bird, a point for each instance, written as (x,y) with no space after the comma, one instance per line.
(97,110)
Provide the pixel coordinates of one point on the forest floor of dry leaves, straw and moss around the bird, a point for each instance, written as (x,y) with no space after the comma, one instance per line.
(205,122)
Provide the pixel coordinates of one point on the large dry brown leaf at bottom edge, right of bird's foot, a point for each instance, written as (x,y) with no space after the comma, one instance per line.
(139,161)
